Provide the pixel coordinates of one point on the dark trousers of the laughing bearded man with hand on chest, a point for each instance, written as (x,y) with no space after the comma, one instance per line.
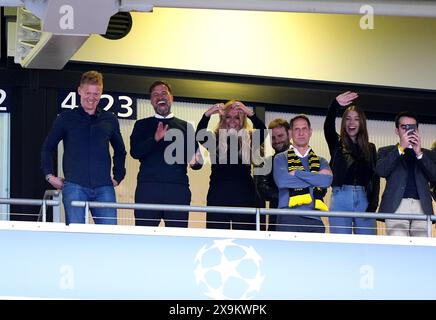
(162,193)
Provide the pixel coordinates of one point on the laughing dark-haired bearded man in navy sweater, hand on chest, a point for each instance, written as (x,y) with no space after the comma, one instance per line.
(163,179)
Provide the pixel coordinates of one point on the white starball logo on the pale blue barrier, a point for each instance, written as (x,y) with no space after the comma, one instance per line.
(227,270)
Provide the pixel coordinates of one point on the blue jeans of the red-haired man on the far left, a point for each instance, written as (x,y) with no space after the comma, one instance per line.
(72,191)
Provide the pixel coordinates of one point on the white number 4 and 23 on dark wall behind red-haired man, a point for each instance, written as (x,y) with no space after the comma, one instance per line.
(123,106)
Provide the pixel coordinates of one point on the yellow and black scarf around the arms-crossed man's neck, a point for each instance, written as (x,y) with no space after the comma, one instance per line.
(299,196)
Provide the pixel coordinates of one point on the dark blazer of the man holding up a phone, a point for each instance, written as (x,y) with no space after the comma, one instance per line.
(392,166)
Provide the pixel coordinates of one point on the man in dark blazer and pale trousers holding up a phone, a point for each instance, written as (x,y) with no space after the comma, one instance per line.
(408,170)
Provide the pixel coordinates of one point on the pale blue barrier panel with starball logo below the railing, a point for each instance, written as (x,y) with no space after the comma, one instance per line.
(121,262)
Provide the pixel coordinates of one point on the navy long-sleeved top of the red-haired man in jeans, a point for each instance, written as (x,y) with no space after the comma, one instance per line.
(86,138)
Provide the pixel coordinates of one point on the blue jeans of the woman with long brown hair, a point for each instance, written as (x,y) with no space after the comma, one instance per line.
(354,199)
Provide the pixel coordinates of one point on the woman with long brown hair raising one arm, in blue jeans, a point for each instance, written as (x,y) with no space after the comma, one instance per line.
(353,158)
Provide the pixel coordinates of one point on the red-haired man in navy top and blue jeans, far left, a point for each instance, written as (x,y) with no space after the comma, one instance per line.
(86,132)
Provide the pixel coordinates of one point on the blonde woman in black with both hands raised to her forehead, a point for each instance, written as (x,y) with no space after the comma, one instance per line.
(231,183)
